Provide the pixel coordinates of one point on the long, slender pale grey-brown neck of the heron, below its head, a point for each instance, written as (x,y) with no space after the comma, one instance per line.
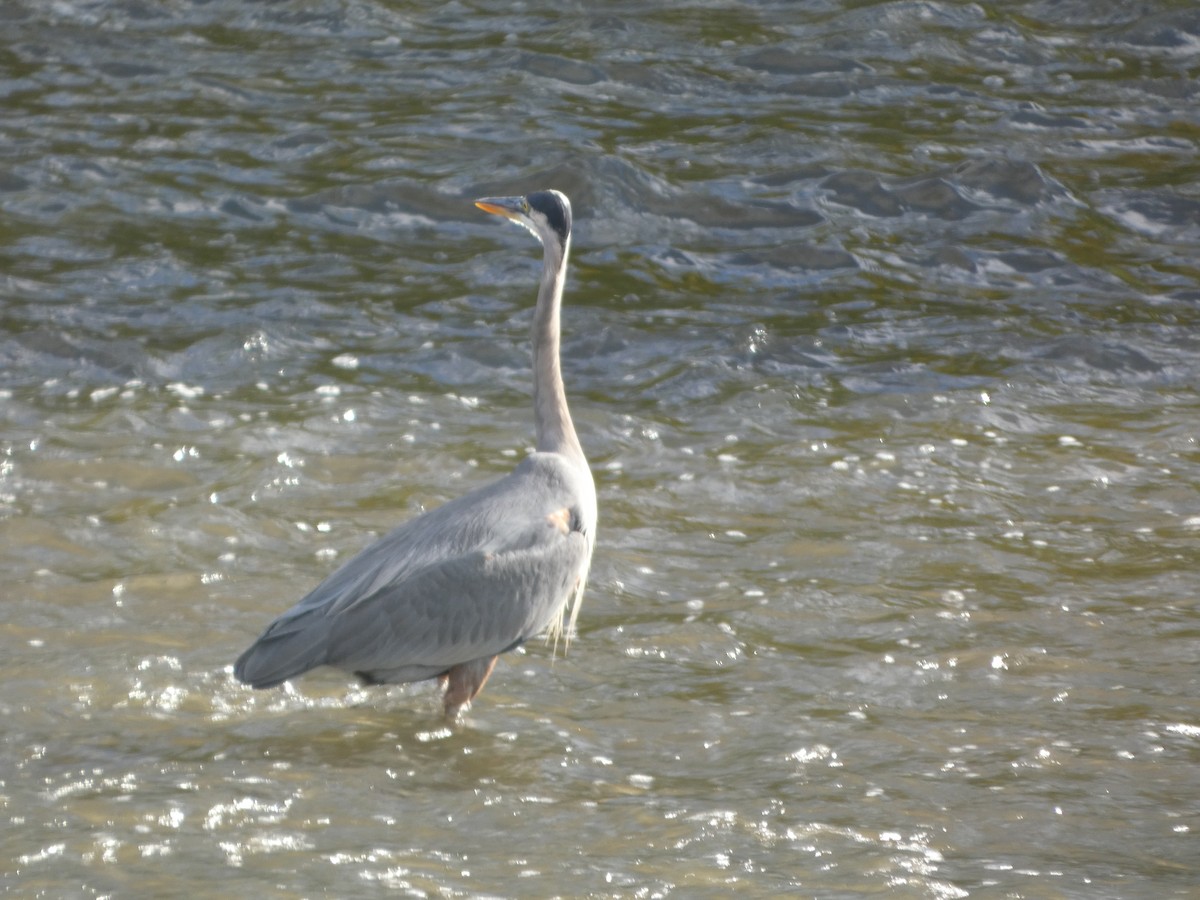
(556,431)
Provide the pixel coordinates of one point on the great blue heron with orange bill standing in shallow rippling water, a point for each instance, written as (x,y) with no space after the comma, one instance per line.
(448,592)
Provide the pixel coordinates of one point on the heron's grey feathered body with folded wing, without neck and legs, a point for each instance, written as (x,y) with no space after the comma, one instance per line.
(470,580)
